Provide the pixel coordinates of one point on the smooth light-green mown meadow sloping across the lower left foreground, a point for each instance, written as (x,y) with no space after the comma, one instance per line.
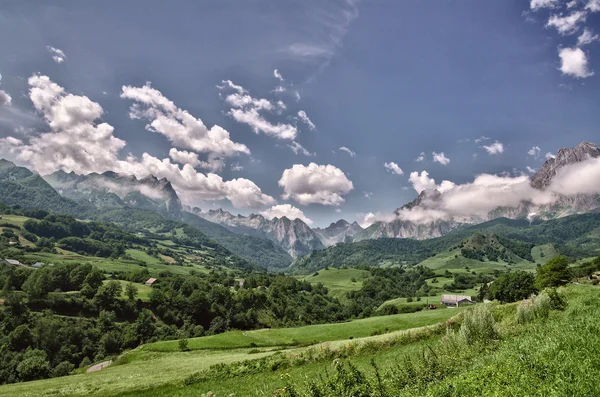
(147,368)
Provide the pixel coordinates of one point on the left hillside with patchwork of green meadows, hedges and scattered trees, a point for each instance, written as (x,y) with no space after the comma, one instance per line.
(35,236)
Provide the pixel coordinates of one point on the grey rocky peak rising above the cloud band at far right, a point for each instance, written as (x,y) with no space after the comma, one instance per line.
(565,156)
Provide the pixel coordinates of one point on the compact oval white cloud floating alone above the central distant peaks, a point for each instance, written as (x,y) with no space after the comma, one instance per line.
(315,184)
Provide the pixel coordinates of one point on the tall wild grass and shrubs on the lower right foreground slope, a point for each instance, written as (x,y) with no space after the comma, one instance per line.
(559,356)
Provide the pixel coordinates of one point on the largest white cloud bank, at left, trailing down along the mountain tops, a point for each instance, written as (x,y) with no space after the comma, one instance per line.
(79,142)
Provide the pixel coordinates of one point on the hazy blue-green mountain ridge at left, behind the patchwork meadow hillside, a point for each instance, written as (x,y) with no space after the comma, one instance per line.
(128,203)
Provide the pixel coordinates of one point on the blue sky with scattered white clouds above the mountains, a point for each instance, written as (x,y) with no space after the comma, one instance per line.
(309,109)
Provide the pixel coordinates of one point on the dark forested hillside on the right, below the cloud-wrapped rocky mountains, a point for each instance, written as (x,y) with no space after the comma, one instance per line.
(574,236)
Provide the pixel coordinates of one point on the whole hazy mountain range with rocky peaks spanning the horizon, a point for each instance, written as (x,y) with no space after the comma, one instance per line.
(275,242)
